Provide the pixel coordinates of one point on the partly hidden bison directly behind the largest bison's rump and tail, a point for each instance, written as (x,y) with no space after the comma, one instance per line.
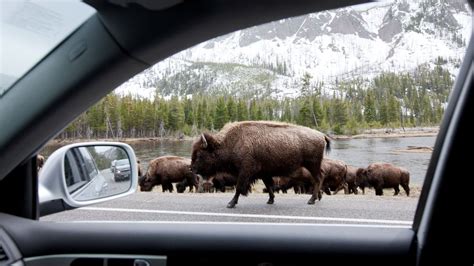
(334,175)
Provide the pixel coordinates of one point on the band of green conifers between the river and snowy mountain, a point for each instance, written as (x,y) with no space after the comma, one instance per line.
(347,107)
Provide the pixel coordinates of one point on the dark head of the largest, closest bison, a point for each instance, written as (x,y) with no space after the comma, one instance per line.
(204,159)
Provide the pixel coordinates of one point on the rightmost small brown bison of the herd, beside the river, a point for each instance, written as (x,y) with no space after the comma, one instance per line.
(384,175)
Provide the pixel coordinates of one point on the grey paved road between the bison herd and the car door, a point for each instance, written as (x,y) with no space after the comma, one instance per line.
(156,206)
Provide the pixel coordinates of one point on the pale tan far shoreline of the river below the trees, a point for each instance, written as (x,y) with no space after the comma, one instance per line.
(367,134)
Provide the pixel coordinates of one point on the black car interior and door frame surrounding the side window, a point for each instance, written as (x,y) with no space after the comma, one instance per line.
(126,37)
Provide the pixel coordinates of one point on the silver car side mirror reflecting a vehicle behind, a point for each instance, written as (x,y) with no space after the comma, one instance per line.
(82,174)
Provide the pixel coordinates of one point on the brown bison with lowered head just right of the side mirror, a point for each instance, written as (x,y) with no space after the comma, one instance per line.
(166,170)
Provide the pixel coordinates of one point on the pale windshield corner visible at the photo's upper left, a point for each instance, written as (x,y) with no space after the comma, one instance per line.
(33,29)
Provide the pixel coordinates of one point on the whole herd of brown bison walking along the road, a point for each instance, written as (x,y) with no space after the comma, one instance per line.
(282,155)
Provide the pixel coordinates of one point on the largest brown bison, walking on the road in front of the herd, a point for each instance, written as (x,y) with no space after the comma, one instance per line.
(259,149)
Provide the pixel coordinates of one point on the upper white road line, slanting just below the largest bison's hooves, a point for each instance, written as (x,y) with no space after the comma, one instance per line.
(306,218)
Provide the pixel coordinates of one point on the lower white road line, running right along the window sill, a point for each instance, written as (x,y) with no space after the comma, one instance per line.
(240,223)
